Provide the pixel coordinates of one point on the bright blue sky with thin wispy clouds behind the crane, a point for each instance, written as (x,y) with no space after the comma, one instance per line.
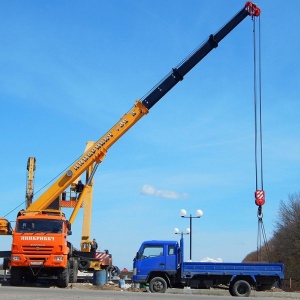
(71,69)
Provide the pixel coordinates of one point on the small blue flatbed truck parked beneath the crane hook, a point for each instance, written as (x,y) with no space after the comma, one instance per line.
(161,265)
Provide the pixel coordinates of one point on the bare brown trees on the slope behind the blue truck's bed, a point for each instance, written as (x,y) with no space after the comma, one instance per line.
(284,246)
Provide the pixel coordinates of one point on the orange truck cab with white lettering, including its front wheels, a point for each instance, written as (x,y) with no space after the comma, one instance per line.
(40,247)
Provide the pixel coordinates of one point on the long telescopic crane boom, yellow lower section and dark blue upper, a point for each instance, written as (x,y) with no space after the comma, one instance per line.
(98,151)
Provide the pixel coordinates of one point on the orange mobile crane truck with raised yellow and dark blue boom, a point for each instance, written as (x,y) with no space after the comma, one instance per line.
(39,245)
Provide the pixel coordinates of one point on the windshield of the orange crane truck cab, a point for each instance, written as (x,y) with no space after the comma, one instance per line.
(36,225)
